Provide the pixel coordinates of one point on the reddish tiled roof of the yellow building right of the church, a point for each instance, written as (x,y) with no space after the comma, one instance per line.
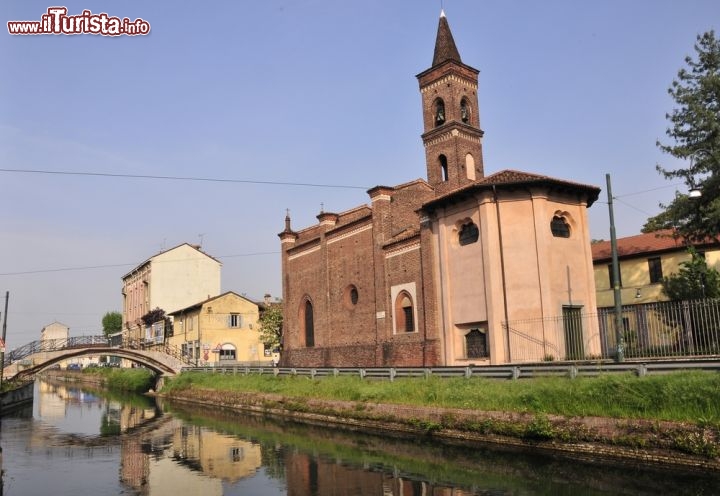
(643,244)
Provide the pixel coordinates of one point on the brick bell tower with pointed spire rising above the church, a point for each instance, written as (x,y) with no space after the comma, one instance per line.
(452,134)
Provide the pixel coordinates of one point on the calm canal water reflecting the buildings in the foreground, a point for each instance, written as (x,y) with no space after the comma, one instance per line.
(76,441)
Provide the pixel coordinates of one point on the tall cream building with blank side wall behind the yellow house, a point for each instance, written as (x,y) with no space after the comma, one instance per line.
(171,280)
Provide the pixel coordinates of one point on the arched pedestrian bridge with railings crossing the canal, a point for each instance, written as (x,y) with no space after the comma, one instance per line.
(26,361)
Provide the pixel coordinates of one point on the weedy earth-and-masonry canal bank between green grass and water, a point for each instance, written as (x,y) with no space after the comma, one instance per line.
(639,442)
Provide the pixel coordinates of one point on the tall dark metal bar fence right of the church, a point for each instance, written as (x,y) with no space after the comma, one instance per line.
(652,330)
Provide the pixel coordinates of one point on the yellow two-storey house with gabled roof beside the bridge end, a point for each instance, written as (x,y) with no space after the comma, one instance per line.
(220,330)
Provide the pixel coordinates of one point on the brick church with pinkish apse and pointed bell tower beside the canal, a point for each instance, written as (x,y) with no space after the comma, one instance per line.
(459,268)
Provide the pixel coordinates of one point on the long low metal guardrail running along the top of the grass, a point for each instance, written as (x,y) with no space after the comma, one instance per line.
(570,370)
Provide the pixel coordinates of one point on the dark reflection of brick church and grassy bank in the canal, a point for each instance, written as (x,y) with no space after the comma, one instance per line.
(317,461)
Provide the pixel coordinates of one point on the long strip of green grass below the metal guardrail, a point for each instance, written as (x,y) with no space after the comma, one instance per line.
(682,396)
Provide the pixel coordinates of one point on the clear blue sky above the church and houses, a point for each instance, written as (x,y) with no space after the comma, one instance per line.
(308,91)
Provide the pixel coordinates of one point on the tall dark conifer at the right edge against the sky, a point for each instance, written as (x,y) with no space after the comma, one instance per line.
(695,131)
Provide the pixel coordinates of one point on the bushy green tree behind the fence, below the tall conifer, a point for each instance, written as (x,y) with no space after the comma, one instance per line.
(694,280)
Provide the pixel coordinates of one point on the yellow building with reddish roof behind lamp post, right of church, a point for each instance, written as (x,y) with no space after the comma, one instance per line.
(644,260)
